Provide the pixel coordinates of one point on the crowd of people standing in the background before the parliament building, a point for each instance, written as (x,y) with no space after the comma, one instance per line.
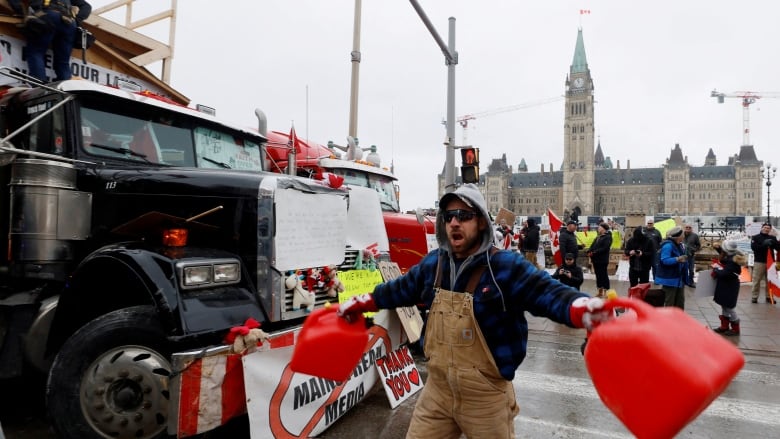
(670,257)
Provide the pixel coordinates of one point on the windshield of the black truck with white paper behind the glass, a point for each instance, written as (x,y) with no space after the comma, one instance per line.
(165,138)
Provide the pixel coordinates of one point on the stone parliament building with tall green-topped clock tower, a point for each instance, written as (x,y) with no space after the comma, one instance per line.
(587,183)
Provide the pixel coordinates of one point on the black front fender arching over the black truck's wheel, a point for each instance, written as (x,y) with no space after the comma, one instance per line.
(121,276)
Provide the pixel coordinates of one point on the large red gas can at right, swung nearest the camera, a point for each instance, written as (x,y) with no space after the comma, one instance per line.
(657,372)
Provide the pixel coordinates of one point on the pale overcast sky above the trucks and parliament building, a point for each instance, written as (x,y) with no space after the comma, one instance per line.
(654,65)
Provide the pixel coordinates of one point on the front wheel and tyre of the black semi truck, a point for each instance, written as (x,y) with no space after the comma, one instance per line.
(110,379)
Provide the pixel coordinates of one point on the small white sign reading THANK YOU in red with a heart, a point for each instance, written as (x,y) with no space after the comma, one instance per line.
(399,375)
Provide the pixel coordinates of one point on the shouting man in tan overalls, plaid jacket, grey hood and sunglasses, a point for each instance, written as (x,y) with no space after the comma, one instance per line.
(476,332)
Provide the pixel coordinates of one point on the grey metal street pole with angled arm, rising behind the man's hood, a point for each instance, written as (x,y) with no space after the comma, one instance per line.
(451,59)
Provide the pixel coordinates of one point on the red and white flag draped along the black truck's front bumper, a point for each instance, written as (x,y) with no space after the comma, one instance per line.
(212,389)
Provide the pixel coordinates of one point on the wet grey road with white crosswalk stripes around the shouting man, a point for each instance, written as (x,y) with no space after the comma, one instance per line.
(557,400)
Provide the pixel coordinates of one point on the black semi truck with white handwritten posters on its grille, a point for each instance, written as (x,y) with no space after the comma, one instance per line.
(134,227)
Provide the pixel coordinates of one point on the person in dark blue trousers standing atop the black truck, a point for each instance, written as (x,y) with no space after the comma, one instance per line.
(54,25)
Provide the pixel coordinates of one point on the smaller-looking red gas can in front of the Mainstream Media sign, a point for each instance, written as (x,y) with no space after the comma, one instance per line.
(329,346)
